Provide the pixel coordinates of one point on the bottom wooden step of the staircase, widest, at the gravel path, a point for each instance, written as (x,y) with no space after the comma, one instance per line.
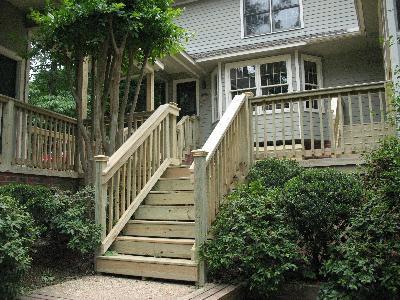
(163,268)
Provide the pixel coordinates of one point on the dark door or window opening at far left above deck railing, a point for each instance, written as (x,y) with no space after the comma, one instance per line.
(8,76)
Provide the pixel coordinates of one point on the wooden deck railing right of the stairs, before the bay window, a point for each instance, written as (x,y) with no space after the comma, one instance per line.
(321,123)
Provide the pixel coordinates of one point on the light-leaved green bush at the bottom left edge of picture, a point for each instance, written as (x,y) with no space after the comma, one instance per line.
(17,236)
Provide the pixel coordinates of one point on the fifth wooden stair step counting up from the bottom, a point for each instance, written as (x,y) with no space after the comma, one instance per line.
(170,198)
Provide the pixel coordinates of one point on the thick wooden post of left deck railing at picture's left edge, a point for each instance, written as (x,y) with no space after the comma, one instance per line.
(9,136)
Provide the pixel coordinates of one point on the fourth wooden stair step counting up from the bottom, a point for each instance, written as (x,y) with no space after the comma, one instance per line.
(165,213)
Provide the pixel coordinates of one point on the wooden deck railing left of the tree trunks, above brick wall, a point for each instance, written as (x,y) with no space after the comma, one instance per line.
(36,140)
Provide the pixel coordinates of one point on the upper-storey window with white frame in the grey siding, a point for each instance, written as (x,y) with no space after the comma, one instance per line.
(266,16)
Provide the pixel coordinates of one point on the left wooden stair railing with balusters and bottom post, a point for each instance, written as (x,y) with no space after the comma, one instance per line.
(124,180)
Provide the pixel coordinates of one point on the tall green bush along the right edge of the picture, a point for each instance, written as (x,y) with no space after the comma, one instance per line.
(367,264)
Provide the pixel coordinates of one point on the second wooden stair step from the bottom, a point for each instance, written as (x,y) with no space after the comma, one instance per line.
(157,247)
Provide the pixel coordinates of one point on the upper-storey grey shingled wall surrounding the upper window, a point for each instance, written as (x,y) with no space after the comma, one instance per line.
(216,25)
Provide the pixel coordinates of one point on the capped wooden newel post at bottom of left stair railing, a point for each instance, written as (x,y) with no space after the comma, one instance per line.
(100,196)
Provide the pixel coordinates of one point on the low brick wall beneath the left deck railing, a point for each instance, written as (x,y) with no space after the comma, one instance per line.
(63,183)
